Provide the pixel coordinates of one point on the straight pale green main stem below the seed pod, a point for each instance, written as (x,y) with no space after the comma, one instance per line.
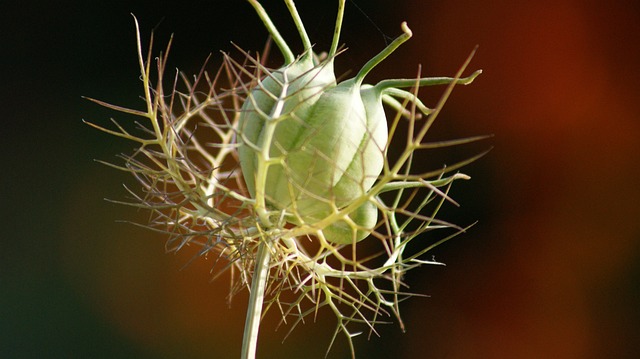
(256,298)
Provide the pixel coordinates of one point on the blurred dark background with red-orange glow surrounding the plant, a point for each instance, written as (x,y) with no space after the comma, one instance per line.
(551,269)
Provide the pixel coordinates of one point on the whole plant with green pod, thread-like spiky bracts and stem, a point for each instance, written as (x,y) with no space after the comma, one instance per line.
(285,175)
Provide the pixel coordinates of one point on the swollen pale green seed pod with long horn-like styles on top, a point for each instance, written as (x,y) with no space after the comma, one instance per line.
(309,148)
